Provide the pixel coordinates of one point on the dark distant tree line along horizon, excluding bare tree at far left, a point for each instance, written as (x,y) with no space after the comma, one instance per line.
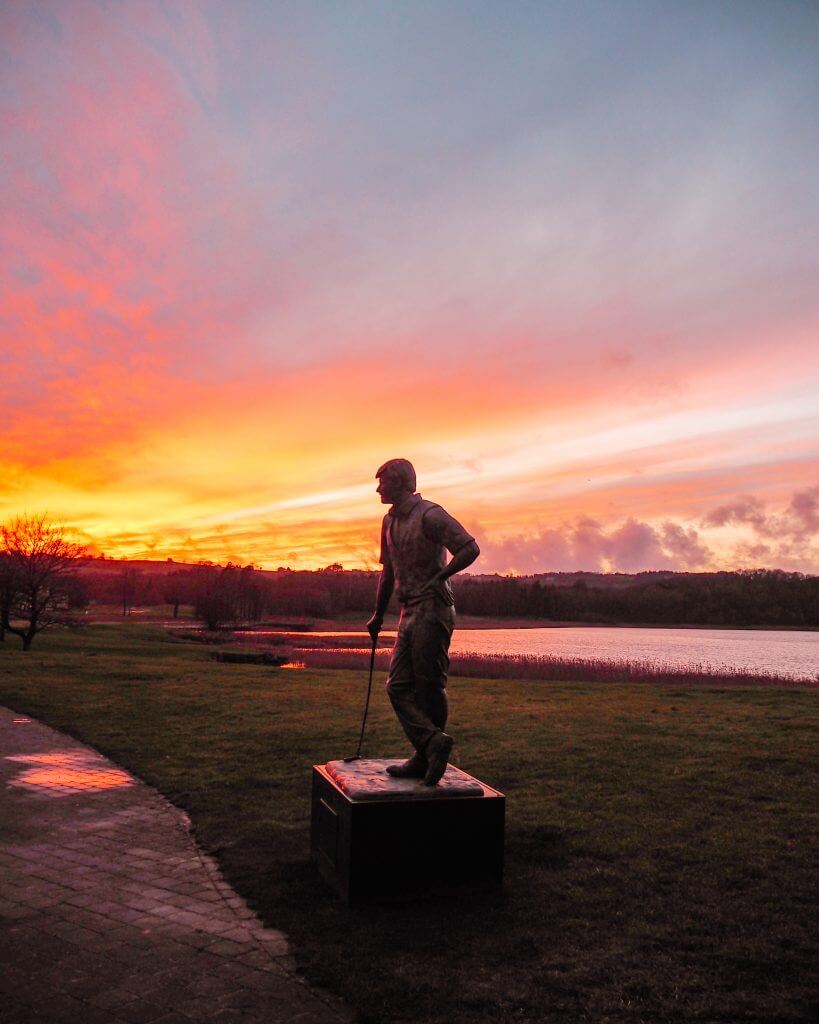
(231,594)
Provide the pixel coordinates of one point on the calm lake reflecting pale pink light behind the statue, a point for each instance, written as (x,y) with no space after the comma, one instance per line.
(783,653)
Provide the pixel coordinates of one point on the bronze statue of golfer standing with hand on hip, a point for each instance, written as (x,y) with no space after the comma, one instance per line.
(415,536)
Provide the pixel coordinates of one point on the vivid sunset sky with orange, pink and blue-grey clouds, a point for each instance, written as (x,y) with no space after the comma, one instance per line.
(564,257)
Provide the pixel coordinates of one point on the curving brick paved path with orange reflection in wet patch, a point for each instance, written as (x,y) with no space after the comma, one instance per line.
(110,913)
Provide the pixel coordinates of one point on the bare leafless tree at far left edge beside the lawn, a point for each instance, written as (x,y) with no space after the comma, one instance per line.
(37,563)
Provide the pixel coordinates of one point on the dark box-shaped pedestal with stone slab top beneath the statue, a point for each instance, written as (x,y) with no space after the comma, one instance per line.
(376,838)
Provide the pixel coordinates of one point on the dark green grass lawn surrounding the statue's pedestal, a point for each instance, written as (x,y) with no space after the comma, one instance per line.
(660,839)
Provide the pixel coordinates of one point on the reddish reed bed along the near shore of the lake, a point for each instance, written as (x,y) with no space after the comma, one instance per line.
(588,670)
